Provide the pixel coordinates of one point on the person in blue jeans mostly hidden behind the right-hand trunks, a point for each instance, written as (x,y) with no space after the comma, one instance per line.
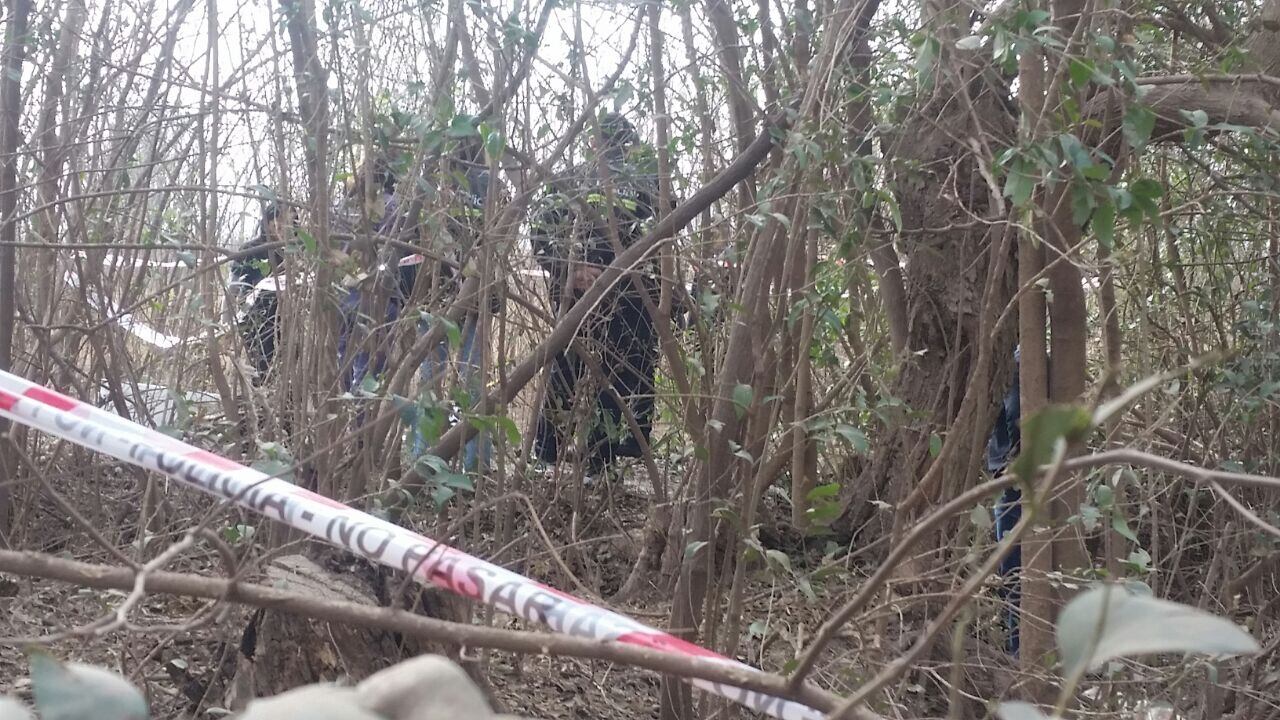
(1003,446)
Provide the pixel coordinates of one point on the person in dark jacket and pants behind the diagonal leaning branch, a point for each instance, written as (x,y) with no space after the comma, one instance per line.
(573,241)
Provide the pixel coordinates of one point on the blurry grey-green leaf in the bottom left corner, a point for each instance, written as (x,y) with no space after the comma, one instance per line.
(74,692)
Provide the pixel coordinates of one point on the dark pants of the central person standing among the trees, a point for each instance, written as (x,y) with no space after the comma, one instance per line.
(621,341)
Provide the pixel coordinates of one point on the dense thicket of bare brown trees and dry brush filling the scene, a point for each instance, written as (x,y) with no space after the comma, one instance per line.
(865,207)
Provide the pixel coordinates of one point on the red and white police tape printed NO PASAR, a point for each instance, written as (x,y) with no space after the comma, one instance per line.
(381,541)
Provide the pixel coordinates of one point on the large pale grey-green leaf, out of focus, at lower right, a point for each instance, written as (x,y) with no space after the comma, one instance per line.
(1110,623)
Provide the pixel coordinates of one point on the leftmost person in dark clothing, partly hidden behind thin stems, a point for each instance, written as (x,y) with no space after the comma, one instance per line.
(255,285)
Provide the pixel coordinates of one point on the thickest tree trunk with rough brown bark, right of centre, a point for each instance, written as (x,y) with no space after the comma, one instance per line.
(949,217)
